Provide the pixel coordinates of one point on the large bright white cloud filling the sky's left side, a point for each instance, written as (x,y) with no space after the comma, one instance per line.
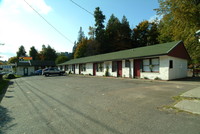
(15,29)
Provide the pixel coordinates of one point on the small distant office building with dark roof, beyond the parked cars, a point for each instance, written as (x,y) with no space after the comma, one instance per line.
(26,68)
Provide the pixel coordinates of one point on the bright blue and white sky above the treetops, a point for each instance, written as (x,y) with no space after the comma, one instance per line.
(20,25)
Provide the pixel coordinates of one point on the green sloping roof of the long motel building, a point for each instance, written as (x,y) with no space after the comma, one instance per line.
(154,50)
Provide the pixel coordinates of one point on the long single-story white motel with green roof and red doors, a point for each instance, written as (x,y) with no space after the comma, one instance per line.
(165,61)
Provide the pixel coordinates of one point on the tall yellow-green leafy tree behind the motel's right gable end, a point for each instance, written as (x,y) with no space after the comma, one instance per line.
(180,22)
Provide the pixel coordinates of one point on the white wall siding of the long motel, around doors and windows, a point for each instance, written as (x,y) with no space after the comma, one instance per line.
(179,69)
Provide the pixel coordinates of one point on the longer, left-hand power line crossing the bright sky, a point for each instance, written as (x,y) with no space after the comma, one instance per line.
(48,22)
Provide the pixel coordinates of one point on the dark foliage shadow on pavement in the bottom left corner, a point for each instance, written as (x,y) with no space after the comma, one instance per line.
(5,119)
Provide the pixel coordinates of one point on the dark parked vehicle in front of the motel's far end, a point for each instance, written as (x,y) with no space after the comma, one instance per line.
(52,71)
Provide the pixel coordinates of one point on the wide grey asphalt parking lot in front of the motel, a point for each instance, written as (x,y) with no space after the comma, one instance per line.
(92,105)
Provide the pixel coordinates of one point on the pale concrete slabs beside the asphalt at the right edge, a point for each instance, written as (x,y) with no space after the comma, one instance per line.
(191,103)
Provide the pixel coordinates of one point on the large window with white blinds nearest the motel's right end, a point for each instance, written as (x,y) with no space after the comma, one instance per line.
(151,65)
